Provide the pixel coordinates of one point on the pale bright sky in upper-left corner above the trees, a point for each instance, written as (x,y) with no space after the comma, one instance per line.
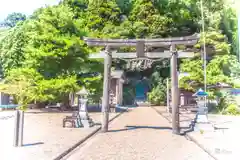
(24,6)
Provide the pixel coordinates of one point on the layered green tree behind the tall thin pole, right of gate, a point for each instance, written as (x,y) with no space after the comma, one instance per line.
(218,50)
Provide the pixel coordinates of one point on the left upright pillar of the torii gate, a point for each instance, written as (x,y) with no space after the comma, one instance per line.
(106,89)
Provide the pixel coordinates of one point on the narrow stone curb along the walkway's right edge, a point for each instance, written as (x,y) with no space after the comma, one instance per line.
(188,136)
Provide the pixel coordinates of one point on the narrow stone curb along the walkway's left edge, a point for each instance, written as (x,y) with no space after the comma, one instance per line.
(66,152)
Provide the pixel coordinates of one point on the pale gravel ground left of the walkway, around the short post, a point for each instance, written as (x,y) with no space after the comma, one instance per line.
(44,136)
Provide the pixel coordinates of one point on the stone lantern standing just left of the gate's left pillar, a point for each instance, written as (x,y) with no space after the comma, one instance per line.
(82,108)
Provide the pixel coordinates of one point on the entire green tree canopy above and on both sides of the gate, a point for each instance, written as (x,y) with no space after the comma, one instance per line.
(49,43)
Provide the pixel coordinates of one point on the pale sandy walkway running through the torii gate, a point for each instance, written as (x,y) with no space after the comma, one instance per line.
(140,134)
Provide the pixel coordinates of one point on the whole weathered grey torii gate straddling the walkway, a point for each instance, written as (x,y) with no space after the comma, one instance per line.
(140,54)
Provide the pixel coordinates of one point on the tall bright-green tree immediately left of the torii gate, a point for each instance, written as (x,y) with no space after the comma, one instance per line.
(56,51)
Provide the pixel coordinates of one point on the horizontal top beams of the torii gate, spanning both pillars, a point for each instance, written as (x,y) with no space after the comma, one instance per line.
(141,45)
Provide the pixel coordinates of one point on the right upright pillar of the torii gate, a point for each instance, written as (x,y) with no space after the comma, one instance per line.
(175,92)
